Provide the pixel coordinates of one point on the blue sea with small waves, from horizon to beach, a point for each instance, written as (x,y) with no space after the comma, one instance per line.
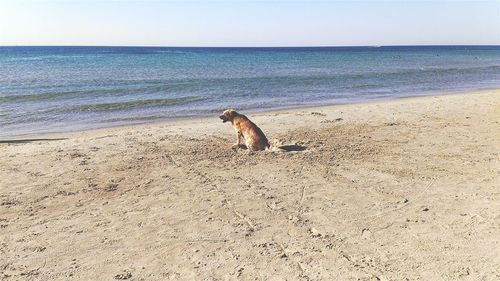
(61,89)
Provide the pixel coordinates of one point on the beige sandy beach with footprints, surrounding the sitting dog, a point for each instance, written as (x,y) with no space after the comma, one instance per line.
(391,190)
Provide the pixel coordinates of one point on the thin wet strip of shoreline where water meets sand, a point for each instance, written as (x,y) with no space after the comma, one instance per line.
(197,119)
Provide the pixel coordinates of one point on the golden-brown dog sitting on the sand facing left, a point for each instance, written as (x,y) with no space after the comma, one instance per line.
(246,130)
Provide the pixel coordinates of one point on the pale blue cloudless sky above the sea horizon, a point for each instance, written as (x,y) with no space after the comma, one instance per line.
(249,23)
